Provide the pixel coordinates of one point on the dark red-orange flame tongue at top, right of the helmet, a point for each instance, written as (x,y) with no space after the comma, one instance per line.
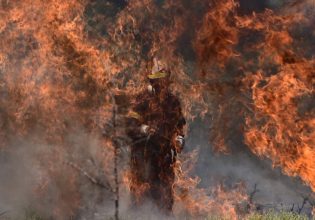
(217,36)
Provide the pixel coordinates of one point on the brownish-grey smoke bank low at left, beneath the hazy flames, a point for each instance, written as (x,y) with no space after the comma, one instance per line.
(38,177)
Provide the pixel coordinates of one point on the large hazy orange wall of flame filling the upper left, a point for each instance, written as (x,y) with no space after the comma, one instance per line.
(52,76)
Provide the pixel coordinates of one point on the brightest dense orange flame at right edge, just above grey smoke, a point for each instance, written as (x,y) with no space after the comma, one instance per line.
(280,128)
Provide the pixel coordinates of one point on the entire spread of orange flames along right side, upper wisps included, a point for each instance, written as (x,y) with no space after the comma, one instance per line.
(275,80)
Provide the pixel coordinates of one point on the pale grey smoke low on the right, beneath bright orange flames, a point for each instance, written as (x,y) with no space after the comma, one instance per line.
(275,190)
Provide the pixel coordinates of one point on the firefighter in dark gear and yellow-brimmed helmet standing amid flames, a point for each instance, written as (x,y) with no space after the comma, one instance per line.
(155,125)
